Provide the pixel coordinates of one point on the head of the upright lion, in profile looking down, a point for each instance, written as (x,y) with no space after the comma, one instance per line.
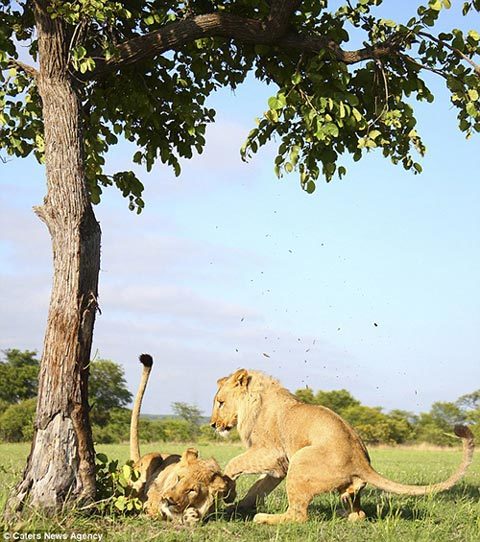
(228,400)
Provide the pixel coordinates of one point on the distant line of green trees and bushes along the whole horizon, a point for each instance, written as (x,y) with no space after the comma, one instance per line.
(110,418)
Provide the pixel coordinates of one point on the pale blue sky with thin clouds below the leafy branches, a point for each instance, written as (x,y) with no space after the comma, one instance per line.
(229,267)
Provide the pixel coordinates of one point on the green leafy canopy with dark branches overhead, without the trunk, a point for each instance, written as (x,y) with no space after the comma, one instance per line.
(143,71)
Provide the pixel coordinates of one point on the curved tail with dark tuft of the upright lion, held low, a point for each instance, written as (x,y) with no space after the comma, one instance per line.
(462,431)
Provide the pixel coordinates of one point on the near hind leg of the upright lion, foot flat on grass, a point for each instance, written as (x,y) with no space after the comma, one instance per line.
(309,474)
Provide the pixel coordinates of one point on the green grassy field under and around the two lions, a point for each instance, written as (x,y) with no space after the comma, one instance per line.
(451,516)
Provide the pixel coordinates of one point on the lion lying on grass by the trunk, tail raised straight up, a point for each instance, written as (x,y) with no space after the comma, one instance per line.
(181,488)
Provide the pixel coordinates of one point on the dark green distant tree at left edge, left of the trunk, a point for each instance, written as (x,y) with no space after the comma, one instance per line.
(18,375)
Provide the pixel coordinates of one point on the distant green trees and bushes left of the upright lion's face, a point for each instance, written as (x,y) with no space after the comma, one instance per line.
(108,398)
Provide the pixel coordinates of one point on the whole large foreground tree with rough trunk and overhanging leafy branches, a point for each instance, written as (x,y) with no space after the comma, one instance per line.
(143,70)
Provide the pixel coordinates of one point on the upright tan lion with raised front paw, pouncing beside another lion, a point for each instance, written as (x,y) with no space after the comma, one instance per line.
(309,445)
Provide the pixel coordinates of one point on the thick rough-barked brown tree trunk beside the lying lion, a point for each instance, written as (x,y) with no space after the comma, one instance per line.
(61,463)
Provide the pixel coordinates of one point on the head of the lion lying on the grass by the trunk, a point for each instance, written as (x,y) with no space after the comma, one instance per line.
(193,487)
